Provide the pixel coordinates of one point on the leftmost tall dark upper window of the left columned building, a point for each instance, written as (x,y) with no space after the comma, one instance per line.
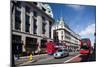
(17,20)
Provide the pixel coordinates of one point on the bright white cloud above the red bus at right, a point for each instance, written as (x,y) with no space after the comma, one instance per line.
(90,29)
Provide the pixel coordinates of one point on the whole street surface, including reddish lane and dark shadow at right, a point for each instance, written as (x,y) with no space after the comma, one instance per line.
(45,59)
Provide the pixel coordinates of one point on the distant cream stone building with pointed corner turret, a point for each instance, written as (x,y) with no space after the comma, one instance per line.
(65,34)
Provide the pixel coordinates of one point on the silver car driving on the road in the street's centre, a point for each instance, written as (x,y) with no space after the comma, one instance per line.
(61,53)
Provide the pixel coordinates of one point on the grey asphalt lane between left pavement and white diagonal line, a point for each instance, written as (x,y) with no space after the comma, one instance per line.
(52,60)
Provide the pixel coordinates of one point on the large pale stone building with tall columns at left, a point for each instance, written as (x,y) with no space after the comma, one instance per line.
(31,24)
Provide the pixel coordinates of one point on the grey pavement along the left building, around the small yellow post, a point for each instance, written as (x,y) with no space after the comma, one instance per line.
(25,60)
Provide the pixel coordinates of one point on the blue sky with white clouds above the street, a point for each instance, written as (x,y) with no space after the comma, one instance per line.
(80,18)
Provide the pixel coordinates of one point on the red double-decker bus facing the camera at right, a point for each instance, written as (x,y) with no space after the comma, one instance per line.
(85,46)
